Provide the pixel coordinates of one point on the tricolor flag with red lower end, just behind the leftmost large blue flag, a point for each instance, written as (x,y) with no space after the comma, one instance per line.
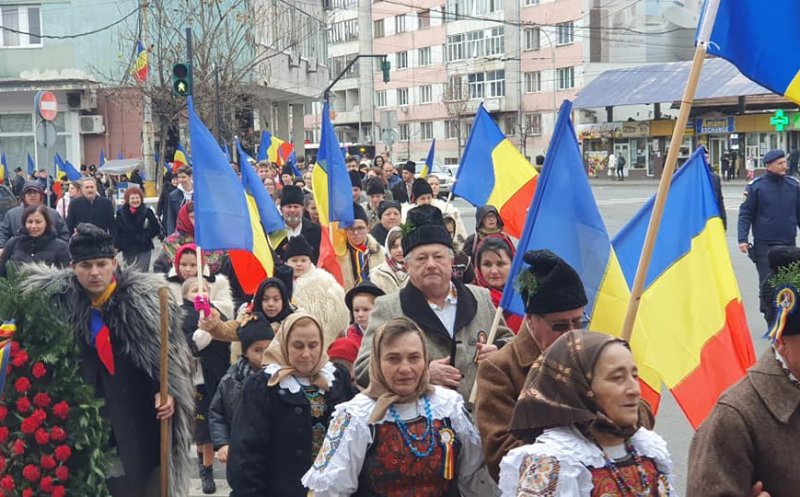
(252,267)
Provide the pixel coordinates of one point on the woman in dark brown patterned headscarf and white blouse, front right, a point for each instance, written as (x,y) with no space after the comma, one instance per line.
(581,402)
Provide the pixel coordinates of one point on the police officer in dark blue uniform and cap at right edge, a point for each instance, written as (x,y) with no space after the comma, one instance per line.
(772,208)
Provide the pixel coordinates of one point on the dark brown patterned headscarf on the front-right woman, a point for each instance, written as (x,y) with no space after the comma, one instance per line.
(558,389)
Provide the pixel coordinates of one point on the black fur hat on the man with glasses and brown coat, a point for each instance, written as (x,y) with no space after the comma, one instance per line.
(550,284)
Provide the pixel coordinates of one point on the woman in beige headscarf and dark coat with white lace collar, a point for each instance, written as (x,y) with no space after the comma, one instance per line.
(284,412)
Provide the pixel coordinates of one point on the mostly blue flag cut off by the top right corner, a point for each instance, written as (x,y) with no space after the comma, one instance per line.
(767,56)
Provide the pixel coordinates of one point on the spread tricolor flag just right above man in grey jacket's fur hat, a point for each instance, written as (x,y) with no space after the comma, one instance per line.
(494,172)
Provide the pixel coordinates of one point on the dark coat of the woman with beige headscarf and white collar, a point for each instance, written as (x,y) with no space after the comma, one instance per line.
(270,447)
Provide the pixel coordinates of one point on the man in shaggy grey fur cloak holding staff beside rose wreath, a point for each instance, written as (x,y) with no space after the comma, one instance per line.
(115,313)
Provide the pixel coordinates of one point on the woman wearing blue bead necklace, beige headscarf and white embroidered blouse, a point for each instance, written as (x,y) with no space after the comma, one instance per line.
(401,436)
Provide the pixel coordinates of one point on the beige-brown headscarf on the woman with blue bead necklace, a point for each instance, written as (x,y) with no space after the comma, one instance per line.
(379,389)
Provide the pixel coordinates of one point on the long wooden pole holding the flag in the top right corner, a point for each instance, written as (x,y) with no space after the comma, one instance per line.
(666,177)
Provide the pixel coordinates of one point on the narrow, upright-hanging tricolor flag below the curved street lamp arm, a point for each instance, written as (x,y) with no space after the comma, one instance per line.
(333,196)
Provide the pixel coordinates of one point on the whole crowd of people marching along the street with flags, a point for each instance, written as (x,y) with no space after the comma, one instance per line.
(365,385)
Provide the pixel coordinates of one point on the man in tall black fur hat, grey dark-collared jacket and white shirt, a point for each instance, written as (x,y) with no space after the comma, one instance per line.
(455,318)
